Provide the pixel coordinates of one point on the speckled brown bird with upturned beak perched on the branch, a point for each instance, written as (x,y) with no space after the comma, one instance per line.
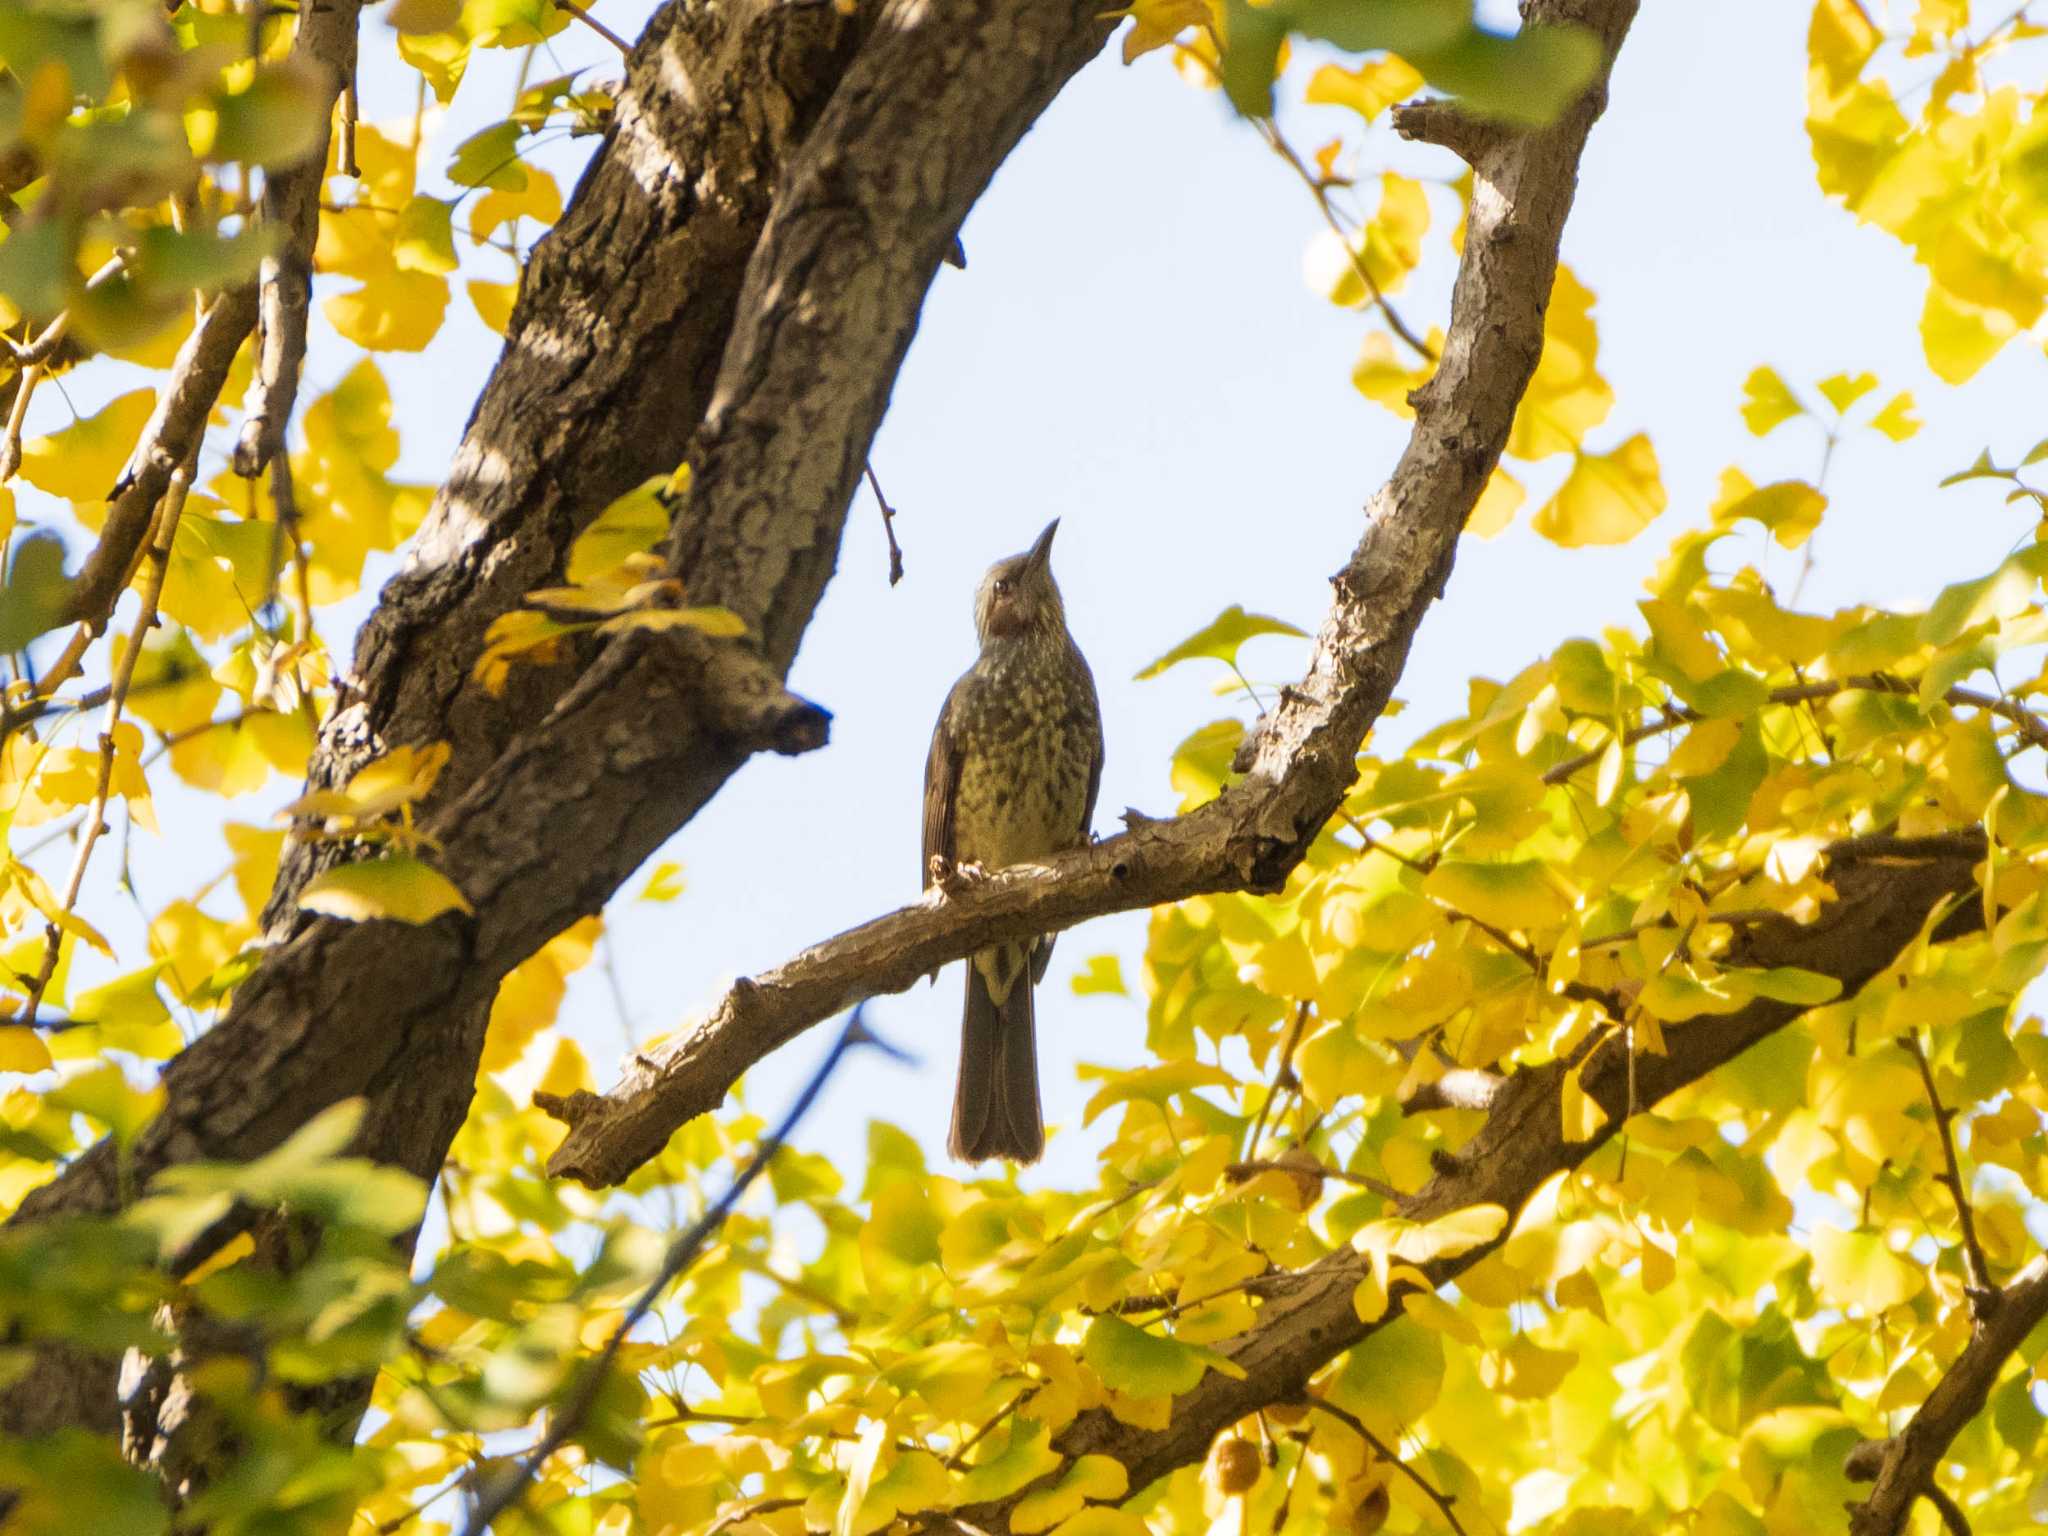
(1013,775)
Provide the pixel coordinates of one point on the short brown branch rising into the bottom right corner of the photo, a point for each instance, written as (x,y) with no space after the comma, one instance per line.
(1906,1463)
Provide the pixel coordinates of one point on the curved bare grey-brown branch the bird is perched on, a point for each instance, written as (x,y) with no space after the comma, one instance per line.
(1306,753)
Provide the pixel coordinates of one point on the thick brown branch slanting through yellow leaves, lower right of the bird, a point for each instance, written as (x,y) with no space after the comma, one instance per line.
(1885,898)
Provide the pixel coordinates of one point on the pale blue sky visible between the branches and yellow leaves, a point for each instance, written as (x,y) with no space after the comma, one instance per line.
(1134,349)
